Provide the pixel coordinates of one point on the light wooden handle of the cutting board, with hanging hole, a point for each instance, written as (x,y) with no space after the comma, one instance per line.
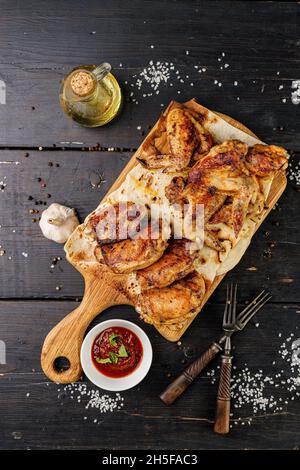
(65,339)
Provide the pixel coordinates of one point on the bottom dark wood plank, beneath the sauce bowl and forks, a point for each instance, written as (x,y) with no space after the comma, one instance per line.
(48,418)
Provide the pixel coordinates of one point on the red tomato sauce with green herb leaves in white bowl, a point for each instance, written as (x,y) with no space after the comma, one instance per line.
(116,352)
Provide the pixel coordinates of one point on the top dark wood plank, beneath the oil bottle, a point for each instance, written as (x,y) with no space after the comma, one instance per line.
(42,41)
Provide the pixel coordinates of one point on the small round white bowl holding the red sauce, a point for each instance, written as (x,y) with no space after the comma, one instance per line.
(120,383)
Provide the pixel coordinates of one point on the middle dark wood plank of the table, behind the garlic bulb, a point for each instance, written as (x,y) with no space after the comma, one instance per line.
(70,183)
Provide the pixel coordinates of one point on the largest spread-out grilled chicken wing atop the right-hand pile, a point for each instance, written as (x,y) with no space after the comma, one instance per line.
(219,173)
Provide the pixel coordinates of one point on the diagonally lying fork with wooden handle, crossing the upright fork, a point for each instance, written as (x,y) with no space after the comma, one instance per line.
(184,380)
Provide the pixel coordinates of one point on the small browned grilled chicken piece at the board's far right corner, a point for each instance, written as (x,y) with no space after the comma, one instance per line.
(264,160)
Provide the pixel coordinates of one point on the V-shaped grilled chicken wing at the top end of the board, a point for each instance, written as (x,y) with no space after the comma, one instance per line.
(185,135)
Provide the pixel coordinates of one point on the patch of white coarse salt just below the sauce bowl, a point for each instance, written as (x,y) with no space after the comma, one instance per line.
(91,398)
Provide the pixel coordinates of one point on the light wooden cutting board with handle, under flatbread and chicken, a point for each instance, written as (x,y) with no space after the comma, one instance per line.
(102,290)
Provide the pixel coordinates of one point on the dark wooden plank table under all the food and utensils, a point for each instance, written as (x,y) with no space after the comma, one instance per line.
(40,41)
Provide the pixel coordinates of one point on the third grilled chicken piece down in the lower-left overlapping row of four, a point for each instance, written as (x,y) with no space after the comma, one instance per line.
(176,263)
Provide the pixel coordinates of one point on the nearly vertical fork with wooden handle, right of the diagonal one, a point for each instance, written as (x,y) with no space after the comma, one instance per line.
(221,425)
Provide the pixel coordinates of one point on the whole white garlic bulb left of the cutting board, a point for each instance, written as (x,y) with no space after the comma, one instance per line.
(58,222)
